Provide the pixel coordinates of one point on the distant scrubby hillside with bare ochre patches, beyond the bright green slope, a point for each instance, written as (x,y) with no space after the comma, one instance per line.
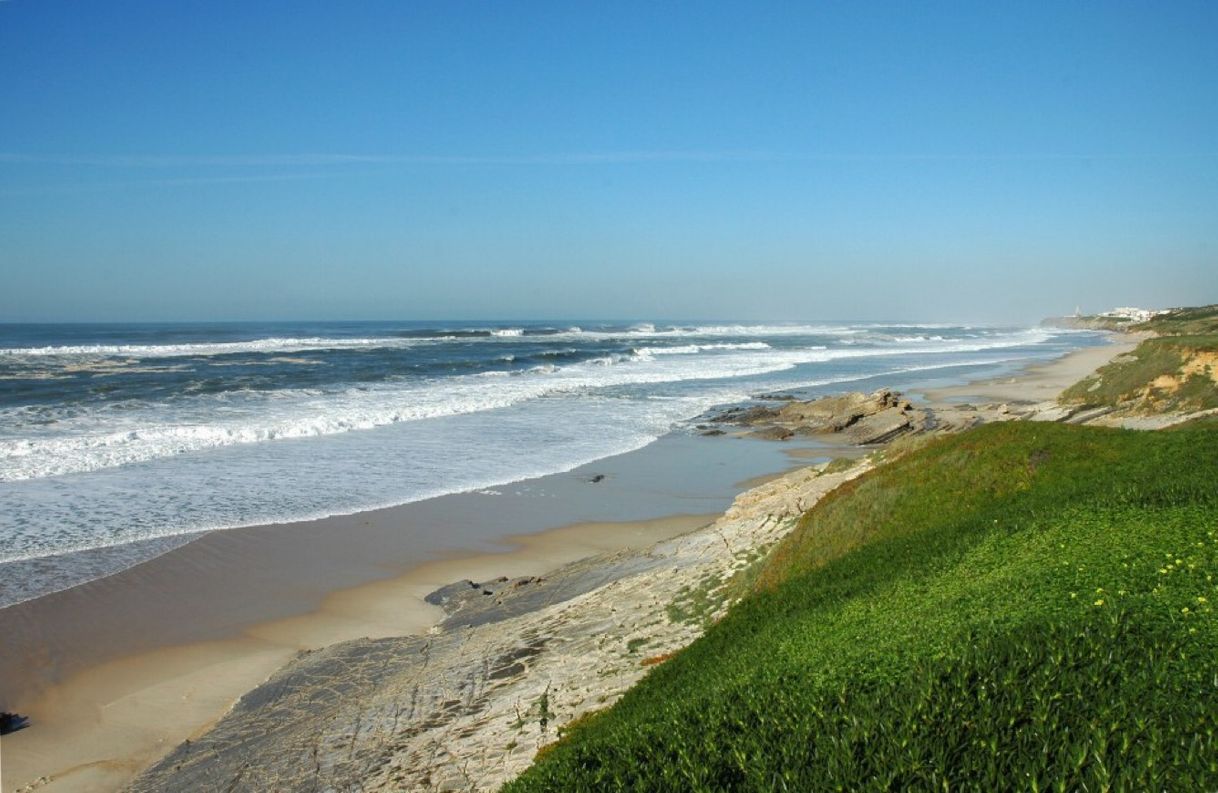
(1167,373)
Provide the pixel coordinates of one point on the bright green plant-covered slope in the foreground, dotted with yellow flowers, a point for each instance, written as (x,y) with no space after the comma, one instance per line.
(1020,606)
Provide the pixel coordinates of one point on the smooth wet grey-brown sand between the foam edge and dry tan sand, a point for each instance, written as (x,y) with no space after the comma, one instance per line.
(228,583)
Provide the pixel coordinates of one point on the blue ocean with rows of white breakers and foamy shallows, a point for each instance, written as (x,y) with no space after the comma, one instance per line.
(137,438)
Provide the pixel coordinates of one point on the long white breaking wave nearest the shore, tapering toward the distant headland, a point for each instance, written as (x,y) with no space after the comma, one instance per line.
(131,433)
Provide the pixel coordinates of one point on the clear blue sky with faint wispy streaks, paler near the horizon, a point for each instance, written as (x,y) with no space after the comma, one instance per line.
(410,160)
